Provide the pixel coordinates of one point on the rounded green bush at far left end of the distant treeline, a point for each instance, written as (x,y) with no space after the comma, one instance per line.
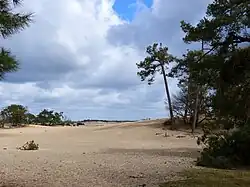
(14,114)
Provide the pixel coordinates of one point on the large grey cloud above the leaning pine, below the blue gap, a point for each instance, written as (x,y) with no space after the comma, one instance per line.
(163,25)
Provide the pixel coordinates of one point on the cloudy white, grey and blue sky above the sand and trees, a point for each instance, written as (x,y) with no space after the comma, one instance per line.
(79,56)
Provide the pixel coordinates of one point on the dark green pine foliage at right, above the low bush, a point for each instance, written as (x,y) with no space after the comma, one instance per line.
(224,69)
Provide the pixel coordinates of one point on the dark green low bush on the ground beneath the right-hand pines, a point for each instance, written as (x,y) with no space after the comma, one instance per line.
(226,149)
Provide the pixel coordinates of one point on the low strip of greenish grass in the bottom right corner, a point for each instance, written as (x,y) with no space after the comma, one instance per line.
(211,178)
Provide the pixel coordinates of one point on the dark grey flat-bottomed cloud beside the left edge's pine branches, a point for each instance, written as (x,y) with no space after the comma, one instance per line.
(43,65)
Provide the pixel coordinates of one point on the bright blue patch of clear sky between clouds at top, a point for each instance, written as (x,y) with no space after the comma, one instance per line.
(127,8)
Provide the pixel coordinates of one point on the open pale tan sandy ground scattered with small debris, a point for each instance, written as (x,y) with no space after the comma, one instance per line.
(116,155)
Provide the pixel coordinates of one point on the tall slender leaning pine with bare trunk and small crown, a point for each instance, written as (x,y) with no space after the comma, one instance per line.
(157,60)
